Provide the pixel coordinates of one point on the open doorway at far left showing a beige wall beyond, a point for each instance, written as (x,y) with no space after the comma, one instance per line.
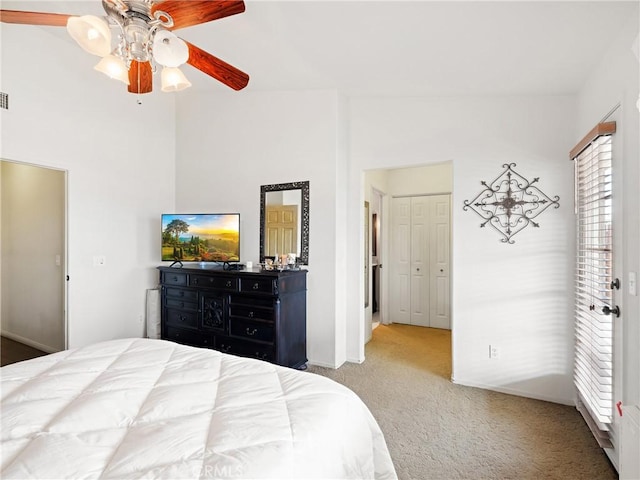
(33,255)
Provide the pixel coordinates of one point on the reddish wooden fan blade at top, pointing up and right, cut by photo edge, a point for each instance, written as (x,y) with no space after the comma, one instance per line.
(194,12)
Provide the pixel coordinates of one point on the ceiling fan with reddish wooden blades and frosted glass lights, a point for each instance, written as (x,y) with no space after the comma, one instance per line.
(145,39)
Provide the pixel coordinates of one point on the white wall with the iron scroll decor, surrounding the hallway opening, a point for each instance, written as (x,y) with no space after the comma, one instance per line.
(513,296)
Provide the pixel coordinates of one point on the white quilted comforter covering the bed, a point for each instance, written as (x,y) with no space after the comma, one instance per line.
(140,408)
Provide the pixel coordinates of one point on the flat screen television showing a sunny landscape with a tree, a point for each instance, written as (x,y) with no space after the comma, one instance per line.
(201,237)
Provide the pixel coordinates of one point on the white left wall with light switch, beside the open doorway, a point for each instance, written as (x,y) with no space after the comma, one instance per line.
(120,162)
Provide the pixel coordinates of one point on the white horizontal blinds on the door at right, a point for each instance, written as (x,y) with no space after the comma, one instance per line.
(593,373)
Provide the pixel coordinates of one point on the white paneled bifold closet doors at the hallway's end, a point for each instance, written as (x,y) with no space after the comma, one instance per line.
(420,251)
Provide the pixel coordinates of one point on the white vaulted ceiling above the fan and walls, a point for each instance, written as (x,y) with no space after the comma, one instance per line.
(402,48)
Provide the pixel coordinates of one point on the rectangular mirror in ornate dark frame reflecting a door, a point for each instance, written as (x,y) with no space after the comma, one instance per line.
(284,220)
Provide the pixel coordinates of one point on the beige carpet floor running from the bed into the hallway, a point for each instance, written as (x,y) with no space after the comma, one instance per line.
(438,430)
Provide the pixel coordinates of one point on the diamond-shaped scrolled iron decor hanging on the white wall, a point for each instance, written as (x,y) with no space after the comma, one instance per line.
(510,203)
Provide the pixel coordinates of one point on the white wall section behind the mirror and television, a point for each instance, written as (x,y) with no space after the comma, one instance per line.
(229,145)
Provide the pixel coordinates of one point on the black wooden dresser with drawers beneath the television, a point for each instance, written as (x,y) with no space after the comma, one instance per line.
(260,314)
